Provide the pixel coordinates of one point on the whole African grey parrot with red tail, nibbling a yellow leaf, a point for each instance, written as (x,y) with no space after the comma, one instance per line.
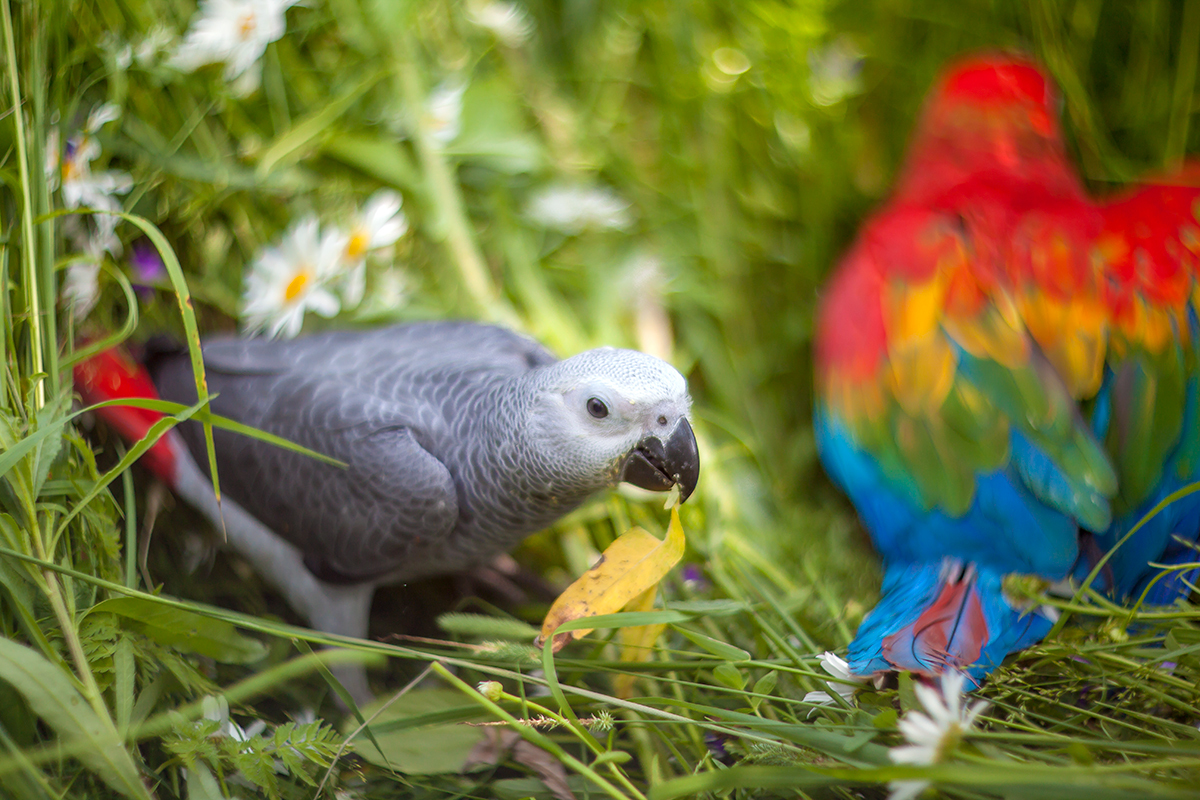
(460,441)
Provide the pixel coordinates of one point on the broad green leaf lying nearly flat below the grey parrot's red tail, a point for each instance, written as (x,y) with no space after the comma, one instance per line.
(185,630)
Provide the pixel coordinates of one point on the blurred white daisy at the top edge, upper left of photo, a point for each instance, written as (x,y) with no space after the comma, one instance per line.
(233,32)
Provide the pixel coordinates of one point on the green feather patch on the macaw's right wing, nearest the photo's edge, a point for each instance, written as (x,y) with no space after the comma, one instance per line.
(1149,398)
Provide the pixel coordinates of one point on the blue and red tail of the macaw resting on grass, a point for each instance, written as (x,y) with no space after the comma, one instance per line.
(944,616)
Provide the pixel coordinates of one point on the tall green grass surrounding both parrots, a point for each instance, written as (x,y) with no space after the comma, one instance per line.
(747,142)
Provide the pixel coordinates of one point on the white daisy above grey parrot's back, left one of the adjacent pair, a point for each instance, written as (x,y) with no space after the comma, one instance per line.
(289,280)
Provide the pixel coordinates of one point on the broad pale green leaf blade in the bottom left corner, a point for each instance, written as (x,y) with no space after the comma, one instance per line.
(56,700)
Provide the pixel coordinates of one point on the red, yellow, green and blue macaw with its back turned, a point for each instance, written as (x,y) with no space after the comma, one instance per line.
(969,400)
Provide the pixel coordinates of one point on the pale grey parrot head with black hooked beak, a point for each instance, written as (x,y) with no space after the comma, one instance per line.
(611,416)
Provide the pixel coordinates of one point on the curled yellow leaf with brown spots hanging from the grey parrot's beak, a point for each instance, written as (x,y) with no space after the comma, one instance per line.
(632,566)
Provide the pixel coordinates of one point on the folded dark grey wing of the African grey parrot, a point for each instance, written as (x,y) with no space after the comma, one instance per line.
(359,398)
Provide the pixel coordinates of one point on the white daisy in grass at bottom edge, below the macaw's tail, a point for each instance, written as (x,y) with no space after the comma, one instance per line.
(933,737)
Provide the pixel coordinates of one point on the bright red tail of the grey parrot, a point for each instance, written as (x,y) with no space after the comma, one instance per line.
(113,375)
